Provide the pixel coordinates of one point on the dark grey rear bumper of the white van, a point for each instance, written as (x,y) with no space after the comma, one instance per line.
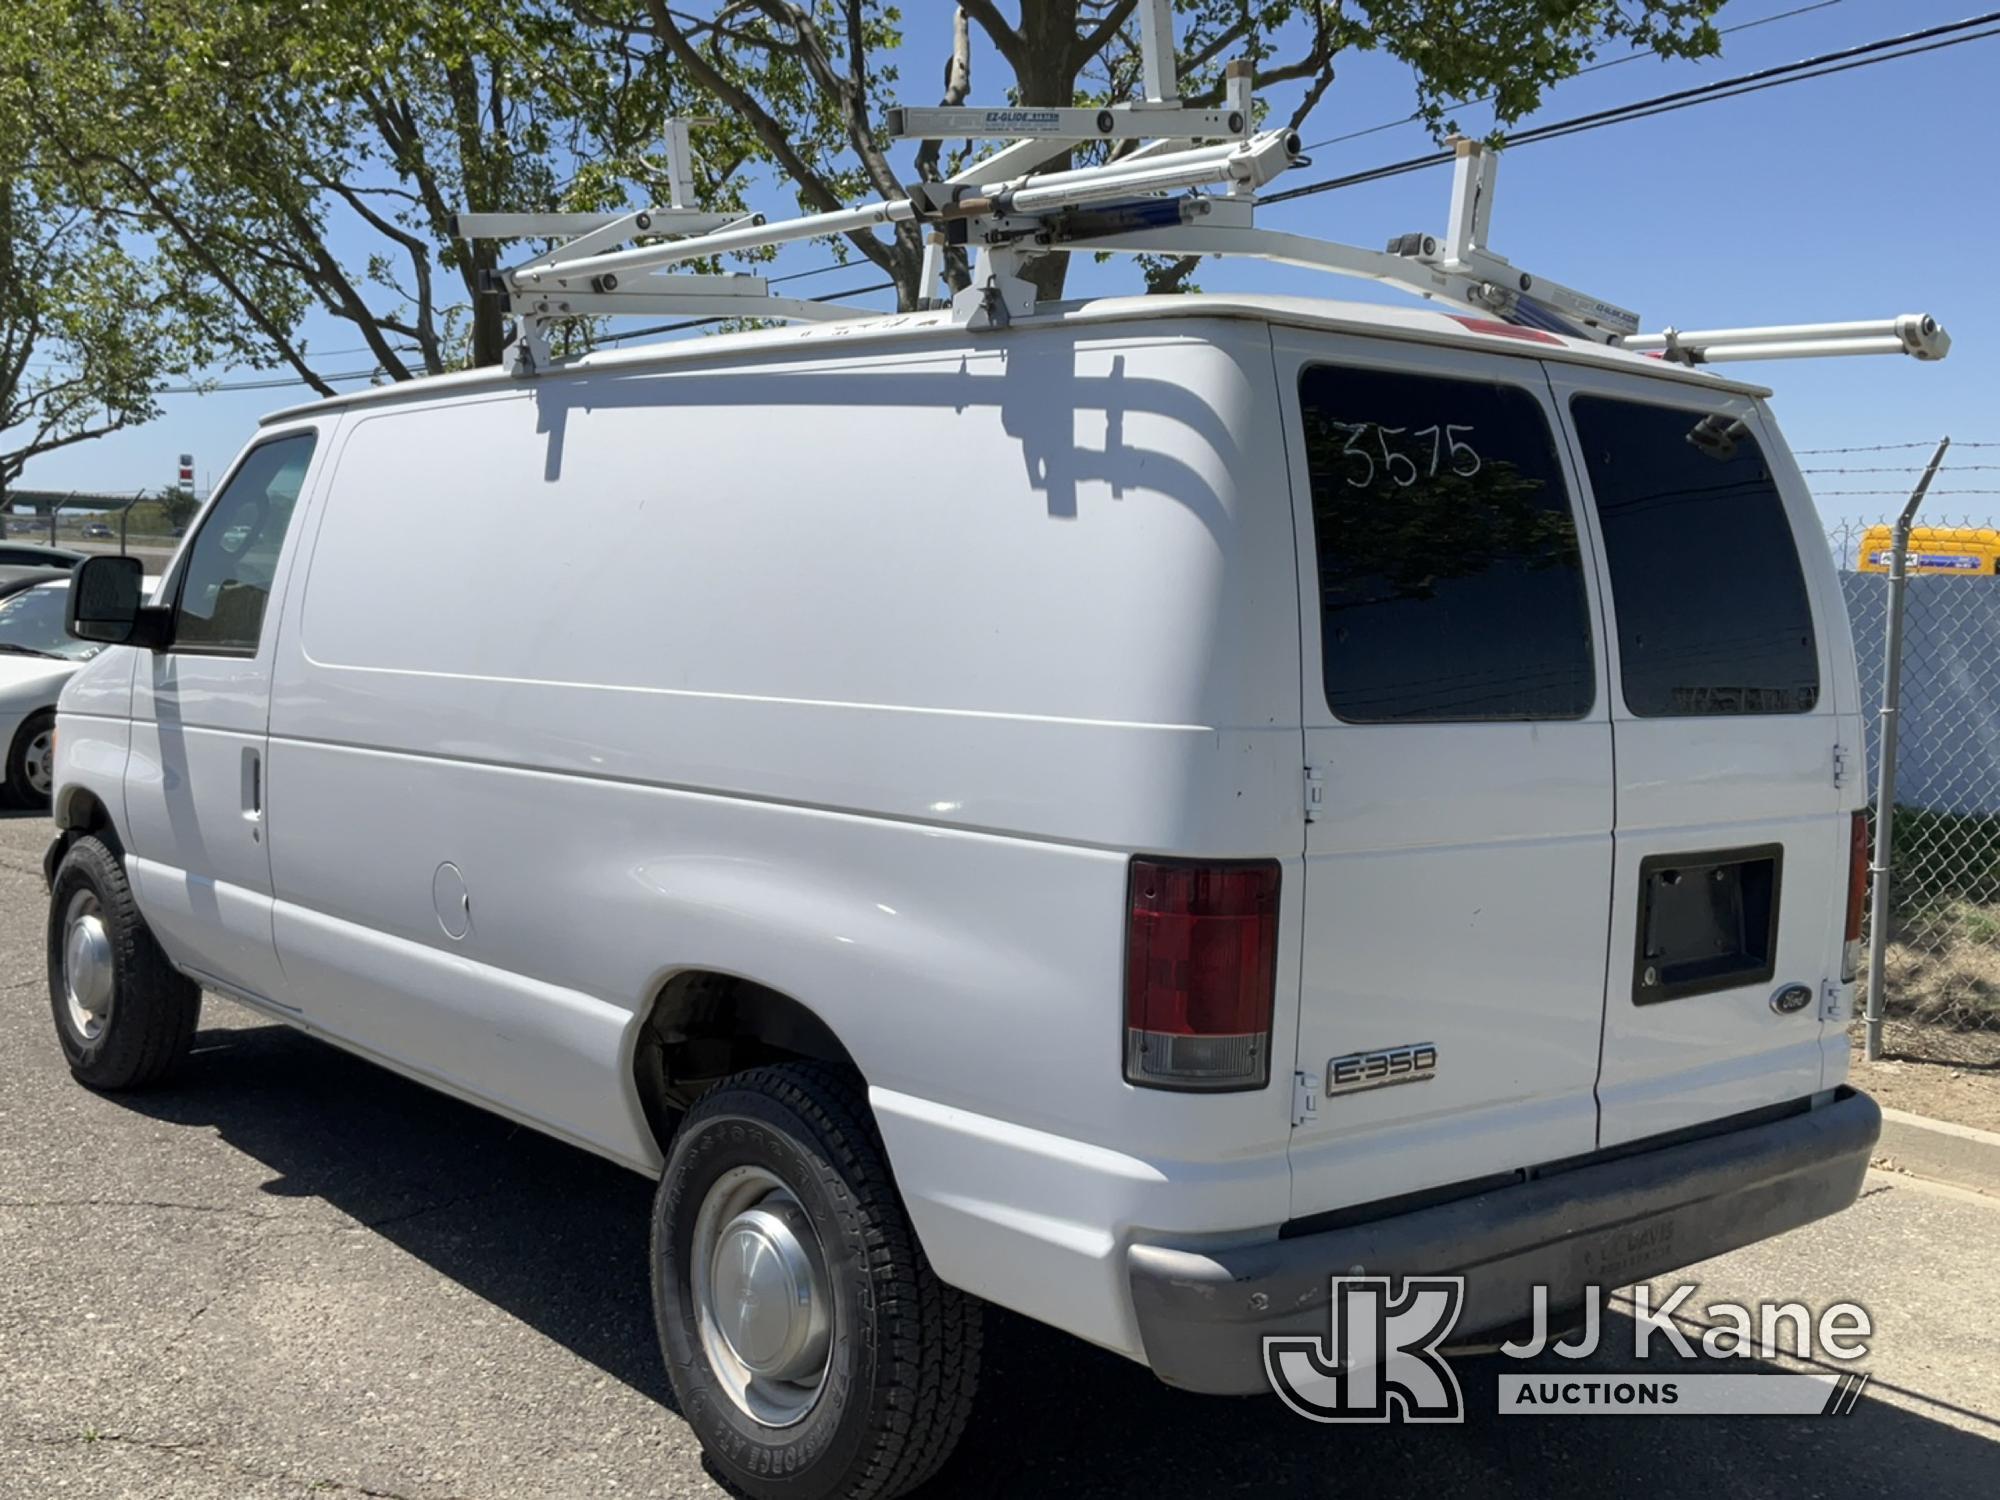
(1205,1315)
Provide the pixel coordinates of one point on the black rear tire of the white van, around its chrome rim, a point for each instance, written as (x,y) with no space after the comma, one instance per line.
(905,1349)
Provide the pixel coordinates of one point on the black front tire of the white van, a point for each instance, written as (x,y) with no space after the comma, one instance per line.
(147,1023)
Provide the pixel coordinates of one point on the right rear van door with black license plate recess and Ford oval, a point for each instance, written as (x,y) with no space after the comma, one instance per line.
(1727,709)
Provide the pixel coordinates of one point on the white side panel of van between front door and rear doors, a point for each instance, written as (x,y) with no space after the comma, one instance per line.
(857,677)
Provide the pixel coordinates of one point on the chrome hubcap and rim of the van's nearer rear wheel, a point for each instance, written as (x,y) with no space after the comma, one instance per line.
(761,1295)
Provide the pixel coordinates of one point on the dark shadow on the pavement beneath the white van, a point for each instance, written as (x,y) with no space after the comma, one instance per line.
(509,1215)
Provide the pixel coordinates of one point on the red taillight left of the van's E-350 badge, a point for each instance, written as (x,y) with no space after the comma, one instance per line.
(1201,971)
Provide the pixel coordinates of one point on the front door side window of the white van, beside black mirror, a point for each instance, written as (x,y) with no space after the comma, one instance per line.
(227,579)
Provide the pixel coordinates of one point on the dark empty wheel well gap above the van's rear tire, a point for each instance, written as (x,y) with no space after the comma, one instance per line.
(707,1027)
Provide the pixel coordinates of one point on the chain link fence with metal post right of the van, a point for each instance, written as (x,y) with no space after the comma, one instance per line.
(1943,959)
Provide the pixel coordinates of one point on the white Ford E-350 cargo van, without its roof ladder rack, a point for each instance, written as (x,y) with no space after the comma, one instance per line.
(1125,817)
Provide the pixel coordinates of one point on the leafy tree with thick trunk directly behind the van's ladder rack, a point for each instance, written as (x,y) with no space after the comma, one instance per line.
(801,85)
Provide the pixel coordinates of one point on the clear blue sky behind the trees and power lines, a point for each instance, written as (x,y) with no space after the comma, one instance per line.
(1849,197)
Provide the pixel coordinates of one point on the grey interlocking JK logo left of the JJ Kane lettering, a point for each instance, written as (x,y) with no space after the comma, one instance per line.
(1381,1357)
